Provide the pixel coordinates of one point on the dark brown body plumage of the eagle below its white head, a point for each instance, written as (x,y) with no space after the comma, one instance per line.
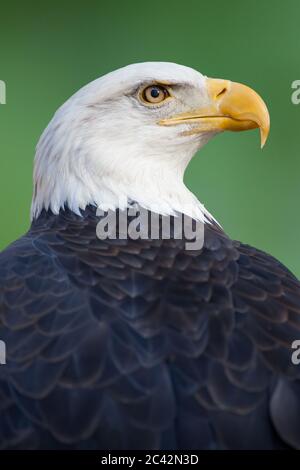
(142,344)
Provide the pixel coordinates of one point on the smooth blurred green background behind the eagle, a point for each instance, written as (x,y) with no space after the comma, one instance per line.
(49,50)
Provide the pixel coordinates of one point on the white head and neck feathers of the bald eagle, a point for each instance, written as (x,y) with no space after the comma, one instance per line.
(105,147)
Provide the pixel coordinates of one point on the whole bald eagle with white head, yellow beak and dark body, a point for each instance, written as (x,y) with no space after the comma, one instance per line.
(124,343)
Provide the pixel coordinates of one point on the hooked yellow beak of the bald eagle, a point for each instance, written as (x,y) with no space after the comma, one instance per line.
(232,106)
